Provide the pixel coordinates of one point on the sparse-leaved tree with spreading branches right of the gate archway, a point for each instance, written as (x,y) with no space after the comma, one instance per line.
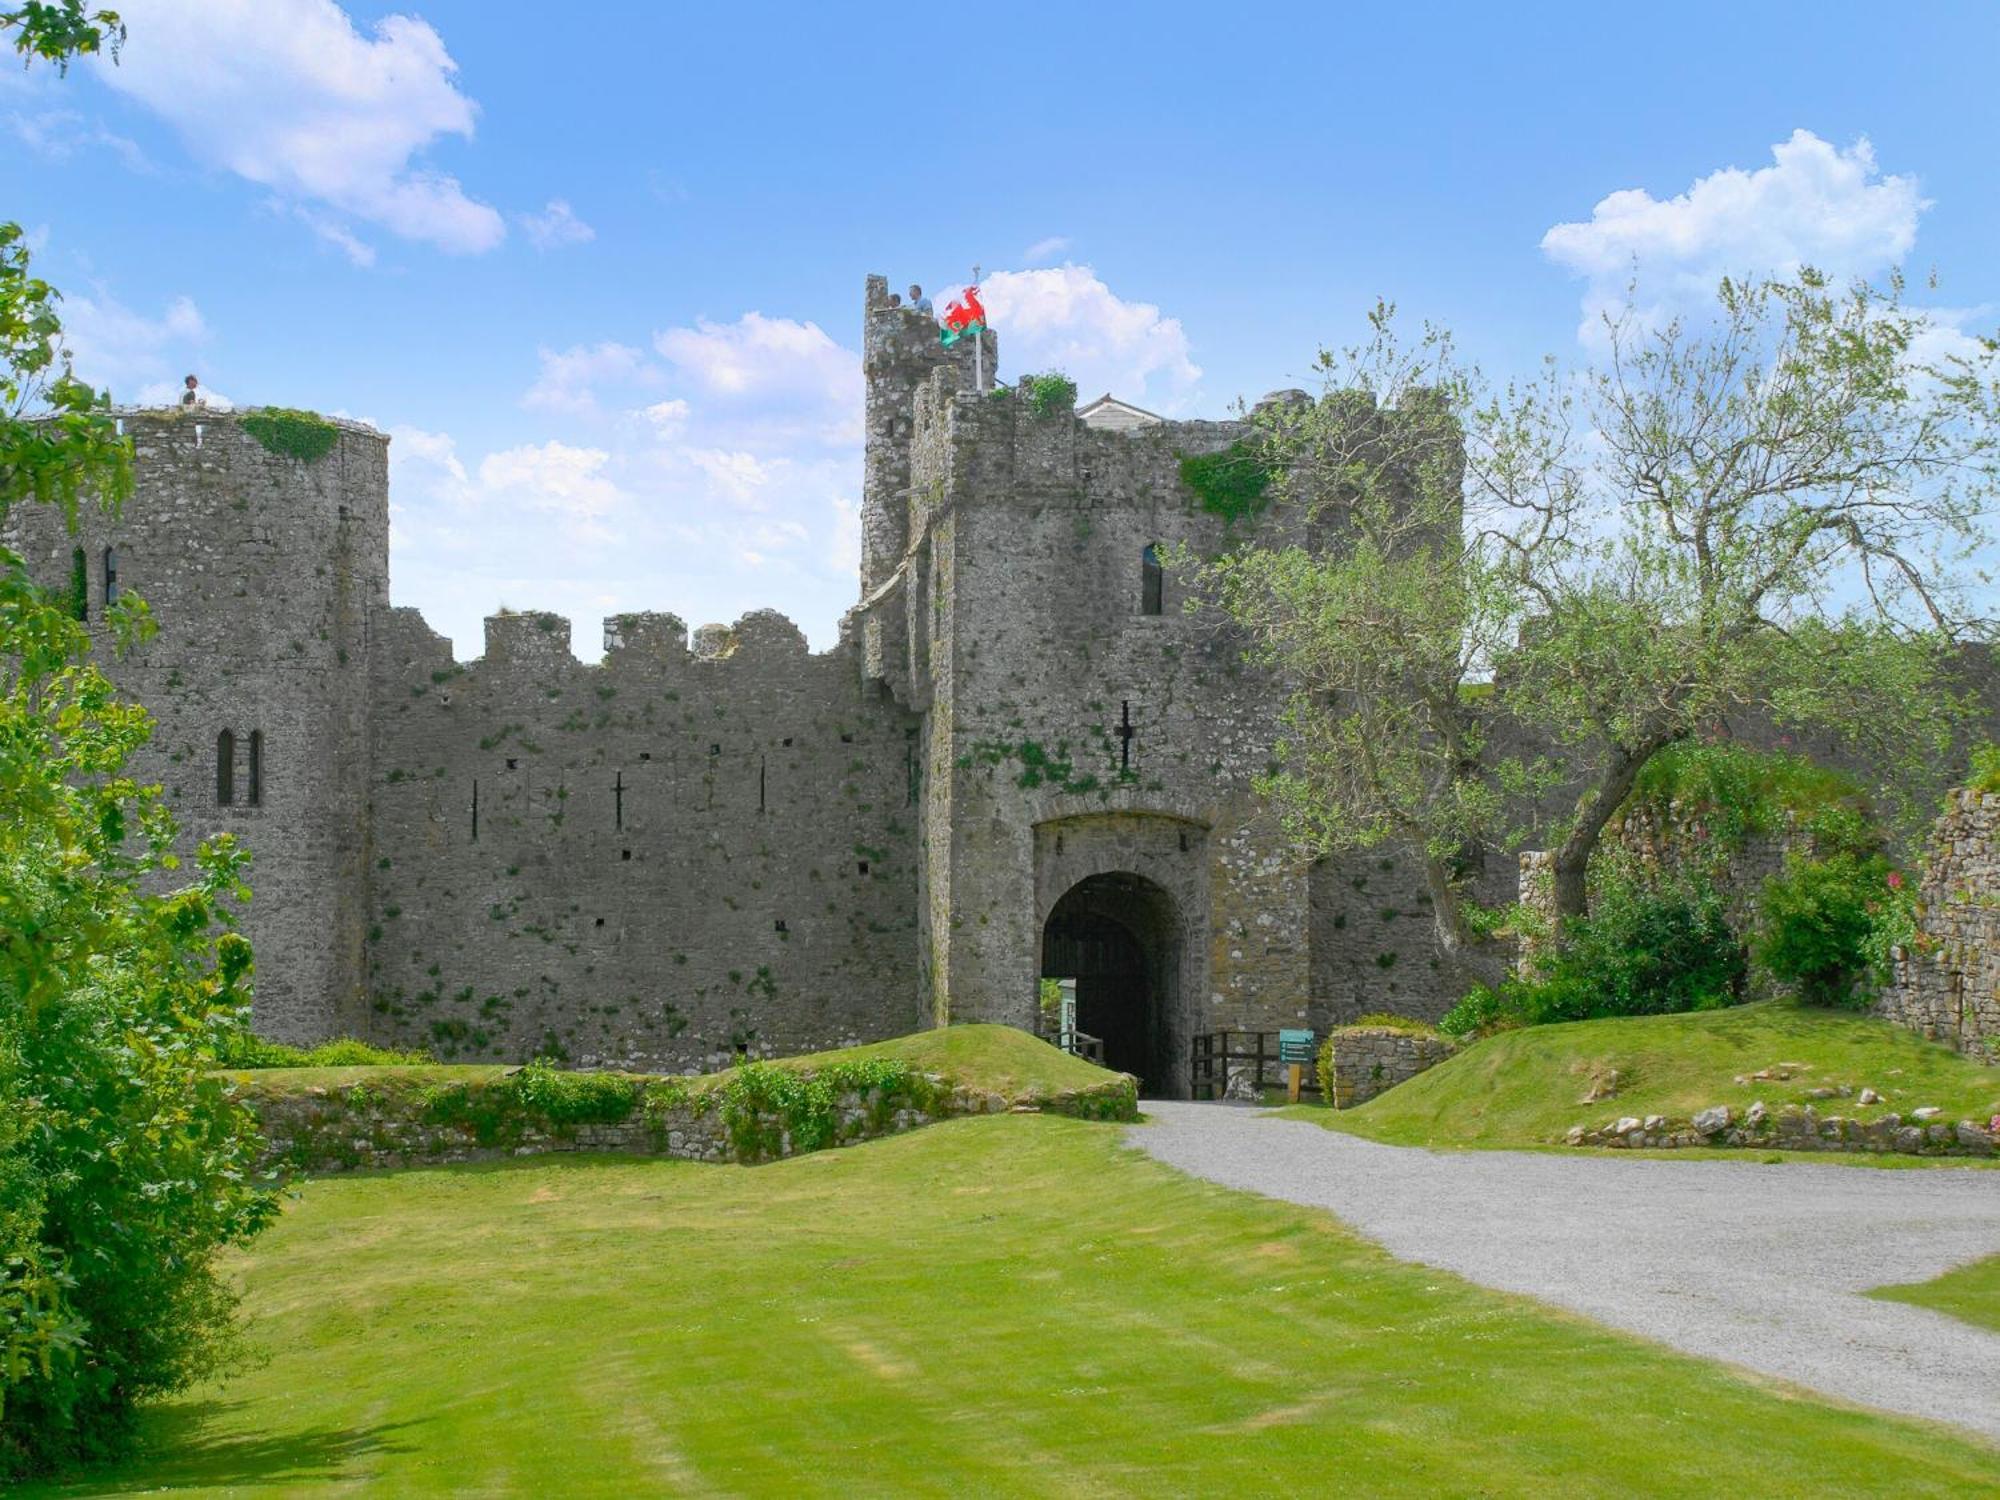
(1767,515)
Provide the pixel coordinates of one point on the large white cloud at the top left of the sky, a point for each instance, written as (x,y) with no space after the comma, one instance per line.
(293,97)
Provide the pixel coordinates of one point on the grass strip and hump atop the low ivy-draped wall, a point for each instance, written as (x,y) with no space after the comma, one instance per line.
(999,1059)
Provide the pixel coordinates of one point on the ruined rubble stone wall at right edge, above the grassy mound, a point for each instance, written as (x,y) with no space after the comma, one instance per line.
(1949,983)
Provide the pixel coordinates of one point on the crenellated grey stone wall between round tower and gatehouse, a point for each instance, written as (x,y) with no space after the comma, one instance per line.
(659,863)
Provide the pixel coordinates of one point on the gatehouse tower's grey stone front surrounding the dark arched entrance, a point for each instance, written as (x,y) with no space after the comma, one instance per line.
(1039,659)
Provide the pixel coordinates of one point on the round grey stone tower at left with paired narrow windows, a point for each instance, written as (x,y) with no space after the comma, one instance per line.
(265,575)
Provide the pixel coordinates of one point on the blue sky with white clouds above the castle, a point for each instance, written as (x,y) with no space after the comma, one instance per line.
(601,273)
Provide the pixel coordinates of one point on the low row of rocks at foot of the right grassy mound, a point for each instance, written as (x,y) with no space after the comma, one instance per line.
(1795,1129)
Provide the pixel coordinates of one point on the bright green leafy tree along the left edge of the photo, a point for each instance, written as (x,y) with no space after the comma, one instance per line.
(125,1157)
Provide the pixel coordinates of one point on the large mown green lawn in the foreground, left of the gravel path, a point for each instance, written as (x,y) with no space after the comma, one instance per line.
(995,1307)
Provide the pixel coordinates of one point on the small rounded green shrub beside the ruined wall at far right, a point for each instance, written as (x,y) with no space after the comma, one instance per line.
(1827,927)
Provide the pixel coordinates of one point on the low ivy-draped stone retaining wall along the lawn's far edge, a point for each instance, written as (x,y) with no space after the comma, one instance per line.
(385,1123)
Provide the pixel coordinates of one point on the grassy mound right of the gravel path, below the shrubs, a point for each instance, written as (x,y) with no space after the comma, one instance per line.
(1529,1087)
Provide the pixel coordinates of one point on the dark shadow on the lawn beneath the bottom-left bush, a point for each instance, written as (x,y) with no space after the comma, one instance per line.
(175,1453)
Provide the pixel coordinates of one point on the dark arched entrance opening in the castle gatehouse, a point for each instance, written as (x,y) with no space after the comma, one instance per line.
(1121,937)
